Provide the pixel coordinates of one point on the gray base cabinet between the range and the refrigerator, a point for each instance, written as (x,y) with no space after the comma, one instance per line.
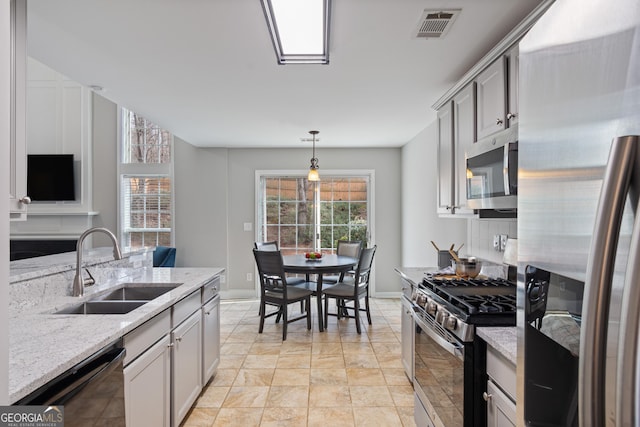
(501,390)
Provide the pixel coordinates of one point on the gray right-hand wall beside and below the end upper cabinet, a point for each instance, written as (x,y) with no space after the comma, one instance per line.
(420,223)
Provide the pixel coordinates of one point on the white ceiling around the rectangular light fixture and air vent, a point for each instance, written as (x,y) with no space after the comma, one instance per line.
(206,70)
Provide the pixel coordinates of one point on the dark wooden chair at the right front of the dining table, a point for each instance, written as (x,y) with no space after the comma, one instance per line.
(352,291)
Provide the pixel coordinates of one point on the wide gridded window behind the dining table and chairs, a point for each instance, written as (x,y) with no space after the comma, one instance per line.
(287,205)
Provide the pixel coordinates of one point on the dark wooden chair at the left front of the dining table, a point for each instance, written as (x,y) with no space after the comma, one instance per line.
(275,291)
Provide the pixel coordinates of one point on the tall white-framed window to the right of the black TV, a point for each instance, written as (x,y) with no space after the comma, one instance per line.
(146,191)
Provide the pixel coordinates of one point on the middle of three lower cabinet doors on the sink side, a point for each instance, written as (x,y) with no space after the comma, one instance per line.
(187,365)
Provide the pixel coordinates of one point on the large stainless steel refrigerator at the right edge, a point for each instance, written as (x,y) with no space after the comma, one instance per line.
(578,217)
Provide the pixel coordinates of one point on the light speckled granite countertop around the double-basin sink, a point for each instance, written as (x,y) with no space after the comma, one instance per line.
(43,345)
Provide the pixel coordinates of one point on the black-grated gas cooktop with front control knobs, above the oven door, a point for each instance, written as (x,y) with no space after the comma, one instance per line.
(458,305)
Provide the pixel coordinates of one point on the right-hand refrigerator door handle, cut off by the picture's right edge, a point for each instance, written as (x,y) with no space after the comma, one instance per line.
(627,375)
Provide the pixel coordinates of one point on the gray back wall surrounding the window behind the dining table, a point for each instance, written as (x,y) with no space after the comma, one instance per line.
(215,196)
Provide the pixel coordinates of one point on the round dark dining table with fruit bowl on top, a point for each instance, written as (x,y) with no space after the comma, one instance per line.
(327,264)
